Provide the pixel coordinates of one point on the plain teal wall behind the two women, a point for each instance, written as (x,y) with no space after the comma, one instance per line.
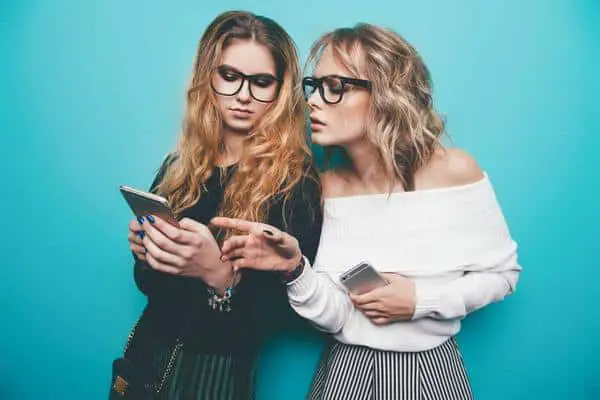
(91,96)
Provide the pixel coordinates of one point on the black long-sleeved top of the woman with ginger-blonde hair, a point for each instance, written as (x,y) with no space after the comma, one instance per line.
(260,304)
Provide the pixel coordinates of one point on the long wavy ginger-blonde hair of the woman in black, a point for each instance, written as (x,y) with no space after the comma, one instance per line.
(275,152)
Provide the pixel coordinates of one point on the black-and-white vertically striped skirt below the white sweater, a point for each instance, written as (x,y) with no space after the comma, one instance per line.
(360,373)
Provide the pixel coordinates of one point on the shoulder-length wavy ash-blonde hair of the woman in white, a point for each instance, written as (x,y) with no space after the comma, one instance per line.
(402,122)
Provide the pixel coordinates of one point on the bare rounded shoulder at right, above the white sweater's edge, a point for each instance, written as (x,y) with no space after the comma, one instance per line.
(451,167)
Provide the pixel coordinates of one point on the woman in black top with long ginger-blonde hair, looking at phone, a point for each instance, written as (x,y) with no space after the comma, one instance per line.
(242,154)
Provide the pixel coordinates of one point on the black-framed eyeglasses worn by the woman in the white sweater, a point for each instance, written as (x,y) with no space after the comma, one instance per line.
(332,87)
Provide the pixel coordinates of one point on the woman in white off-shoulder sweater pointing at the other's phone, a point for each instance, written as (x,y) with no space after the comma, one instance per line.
(425,217)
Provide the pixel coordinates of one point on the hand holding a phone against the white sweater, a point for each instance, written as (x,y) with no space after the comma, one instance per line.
(394,302)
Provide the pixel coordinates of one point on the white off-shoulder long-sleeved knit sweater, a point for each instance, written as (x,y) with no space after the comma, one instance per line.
(452,242)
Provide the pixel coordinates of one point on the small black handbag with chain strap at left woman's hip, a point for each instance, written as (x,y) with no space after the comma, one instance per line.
(133,381)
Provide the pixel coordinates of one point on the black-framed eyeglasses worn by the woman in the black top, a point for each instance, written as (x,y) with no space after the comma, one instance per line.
(228,81)
